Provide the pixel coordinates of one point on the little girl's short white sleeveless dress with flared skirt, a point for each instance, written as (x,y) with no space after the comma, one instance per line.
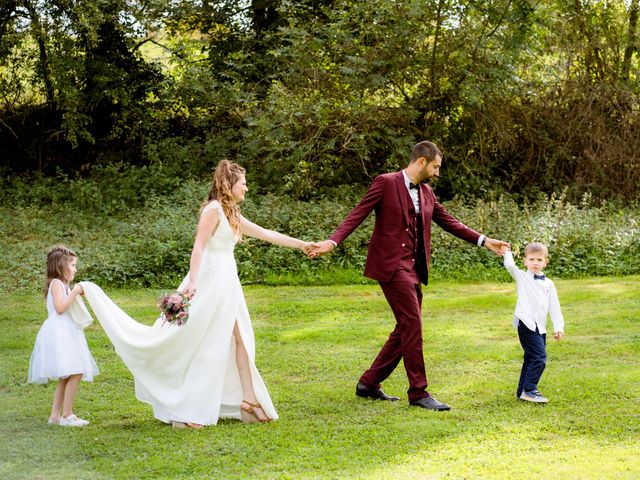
(61,348)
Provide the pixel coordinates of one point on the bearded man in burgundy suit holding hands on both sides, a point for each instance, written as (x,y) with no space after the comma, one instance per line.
(398,258)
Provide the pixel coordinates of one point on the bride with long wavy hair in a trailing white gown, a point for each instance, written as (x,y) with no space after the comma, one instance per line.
(201,371)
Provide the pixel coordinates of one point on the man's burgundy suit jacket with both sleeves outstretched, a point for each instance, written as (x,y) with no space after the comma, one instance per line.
(389,197)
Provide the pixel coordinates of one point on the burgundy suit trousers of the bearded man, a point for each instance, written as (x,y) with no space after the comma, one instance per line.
(404,294)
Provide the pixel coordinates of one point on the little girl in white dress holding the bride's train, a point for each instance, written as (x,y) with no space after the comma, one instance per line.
(61,351)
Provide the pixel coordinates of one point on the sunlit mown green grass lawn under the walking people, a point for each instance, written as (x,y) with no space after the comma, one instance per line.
(312,345)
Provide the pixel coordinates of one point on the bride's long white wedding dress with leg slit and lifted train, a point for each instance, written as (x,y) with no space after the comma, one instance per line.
(189,373)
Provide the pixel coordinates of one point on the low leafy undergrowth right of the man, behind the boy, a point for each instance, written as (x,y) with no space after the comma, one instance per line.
(583,239)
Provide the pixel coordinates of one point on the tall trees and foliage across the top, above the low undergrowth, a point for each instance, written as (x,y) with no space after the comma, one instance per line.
(524,97)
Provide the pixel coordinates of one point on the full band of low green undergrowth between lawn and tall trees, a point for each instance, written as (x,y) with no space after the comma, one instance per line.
(127,232)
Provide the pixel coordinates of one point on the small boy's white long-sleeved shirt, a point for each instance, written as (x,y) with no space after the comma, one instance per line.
(536,299)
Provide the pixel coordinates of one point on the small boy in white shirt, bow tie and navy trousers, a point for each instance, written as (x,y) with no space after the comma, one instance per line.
(537,296)
